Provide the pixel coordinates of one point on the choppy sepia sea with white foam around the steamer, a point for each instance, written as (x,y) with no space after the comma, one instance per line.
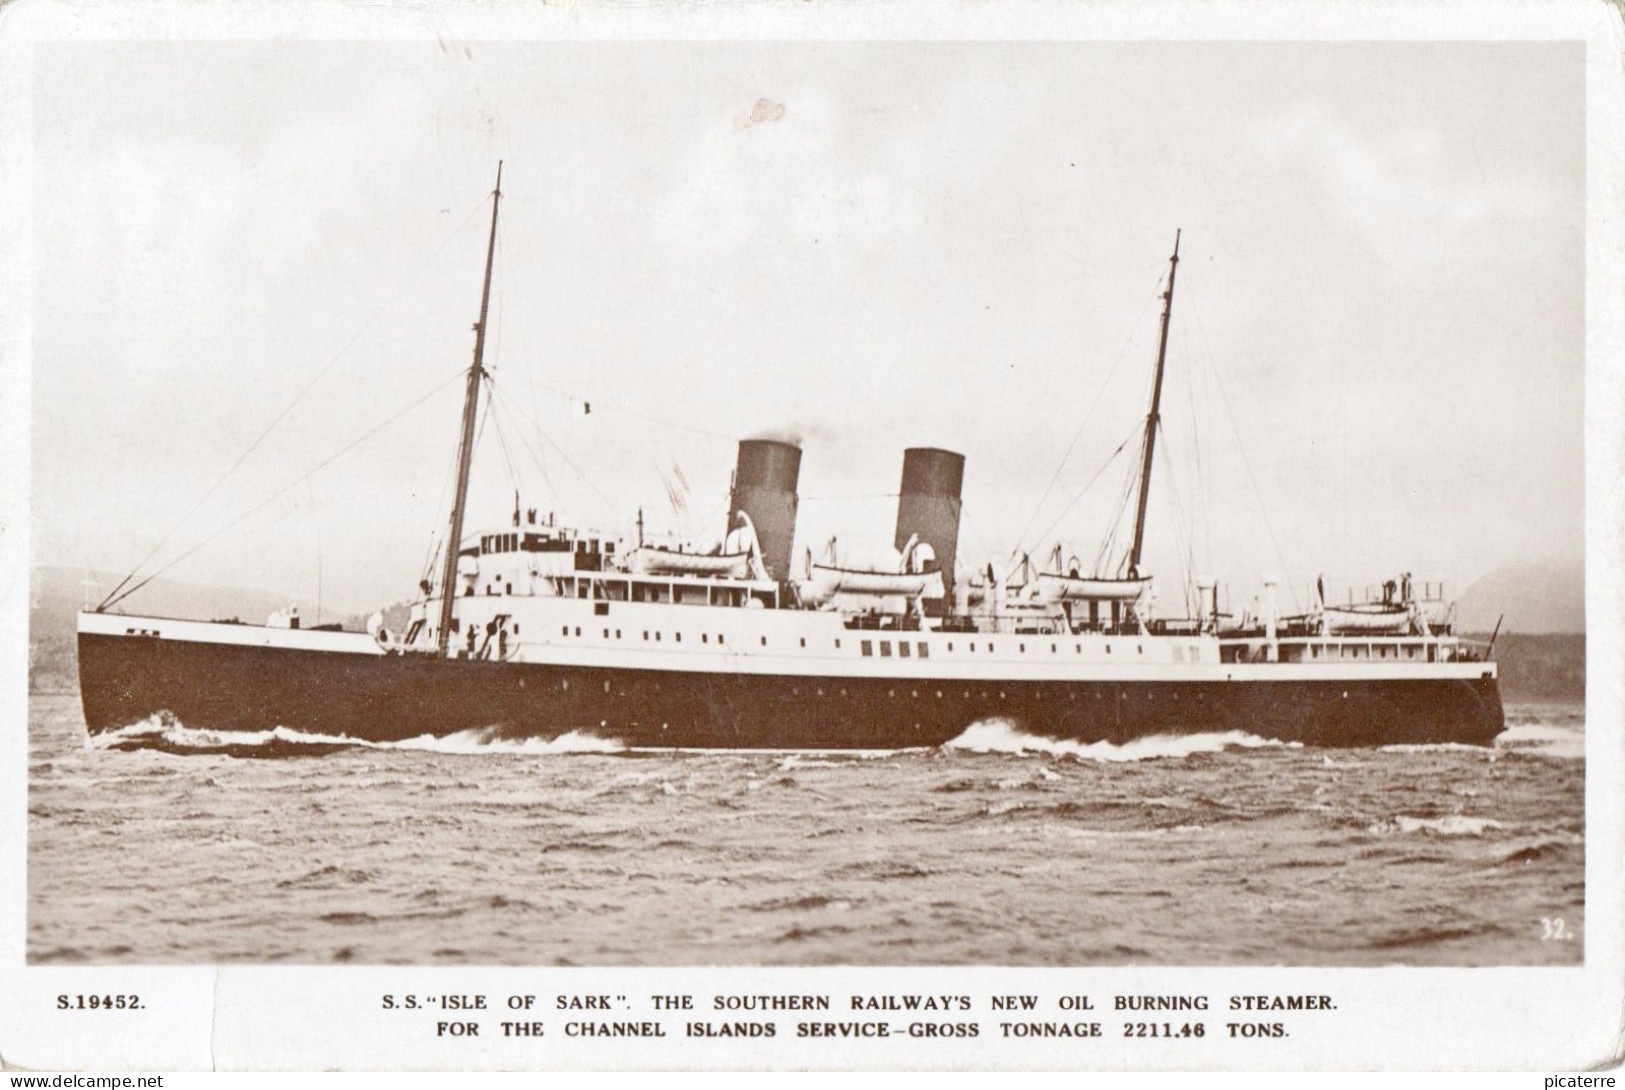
(176,846)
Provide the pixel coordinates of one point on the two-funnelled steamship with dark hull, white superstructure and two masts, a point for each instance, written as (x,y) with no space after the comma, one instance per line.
(535,629)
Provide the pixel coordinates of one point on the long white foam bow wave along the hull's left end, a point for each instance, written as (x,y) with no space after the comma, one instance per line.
(474,742)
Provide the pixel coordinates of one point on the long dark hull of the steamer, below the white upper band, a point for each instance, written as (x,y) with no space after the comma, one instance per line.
(392,698)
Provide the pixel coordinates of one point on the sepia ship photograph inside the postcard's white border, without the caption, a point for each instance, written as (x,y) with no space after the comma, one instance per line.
(797,504)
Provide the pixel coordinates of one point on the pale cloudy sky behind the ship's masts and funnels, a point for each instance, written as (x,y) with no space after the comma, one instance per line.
(1376,363)
